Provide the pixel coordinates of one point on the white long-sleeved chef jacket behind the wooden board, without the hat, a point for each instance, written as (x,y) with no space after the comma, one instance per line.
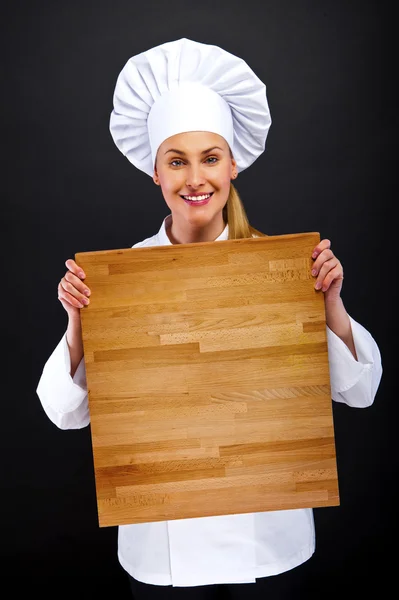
(219,549)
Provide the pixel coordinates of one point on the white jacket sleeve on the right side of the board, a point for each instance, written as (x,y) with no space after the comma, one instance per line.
(354,382)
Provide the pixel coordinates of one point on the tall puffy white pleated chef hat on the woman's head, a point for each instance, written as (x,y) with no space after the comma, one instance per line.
(184,86)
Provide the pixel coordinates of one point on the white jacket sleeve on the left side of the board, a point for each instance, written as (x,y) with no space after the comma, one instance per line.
(63,398)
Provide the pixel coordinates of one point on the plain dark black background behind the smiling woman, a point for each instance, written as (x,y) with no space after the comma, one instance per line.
(329,167)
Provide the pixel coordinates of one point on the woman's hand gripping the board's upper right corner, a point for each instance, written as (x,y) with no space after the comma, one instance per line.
(328,271)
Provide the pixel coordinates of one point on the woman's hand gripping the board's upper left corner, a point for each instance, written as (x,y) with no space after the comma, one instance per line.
(72,291)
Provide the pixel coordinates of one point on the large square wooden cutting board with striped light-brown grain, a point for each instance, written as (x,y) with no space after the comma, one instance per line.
(208,380)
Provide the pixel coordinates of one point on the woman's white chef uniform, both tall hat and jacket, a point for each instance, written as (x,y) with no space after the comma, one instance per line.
(172,88)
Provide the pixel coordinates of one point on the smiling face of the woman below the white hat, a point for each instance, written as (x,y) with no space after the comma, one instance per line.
(194,170)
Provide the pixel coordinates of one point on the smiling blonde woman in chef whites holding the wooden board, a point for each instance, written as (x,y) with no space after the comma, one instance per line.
(193,116)
